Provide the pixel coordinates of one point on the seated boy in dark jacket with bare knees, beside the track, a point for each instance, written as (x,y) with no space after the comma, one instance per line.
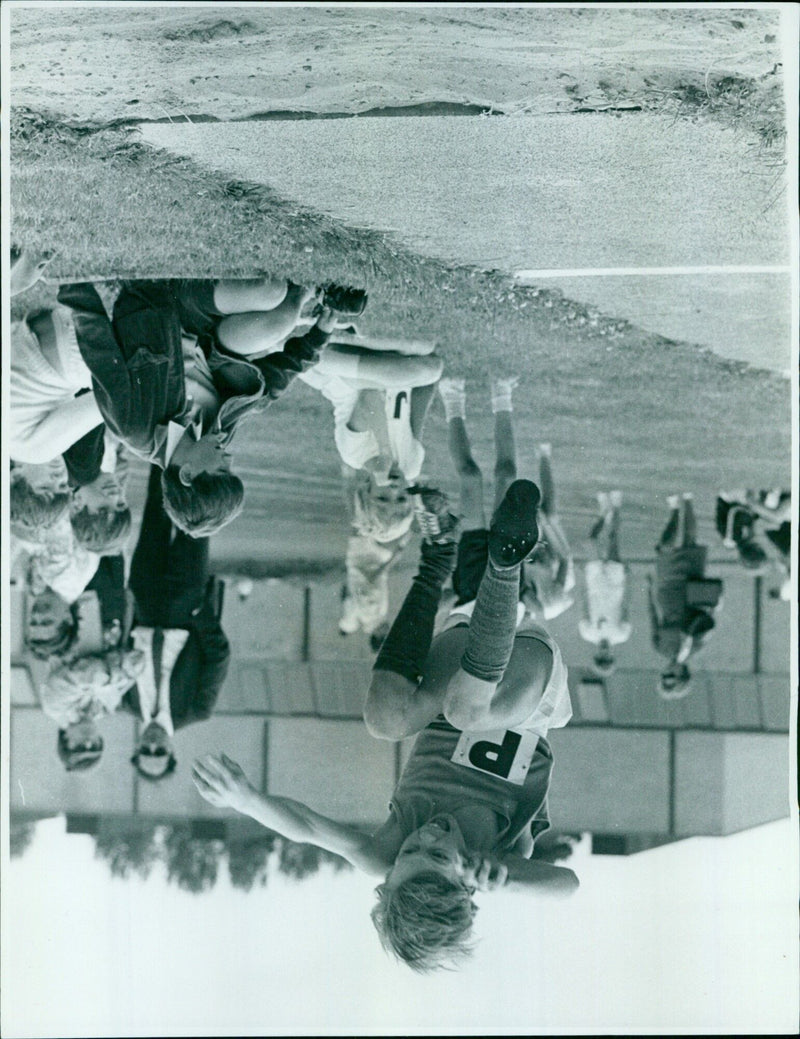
(179,370)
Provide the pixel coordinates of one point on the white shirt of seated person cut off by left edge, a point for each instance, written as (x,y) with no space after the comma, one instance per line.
(45,417)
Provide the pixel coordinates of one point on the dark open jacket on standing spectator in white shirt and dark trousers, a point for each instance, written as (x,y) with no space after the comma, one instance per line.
(201,669)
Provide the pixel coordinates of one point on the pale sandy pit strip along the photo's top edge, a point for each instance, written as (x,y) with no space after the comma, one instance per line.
(231,62)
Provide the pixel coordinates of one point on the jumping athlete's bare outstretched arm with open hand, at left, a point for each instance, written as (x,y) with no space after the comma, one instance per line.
(224,784)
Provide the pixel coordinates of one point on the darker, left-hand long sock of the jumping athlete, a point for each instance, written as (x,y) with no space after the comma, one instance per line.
(406,649)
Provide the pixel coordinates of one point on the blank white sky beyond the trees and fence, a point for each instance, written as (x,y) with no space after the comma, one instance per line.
(695,938)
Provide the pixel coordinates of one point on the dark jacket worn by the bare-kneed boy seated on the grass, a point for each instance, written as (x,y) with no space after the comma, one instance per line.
(138,370)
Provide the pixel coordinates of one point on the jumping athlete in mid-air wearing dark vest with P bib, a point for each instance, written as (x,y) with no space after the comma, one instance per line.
(472,798)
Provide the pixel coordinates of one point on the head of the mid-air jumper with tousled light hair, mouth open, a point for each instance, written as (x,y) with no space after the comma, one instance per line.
(425,910)
